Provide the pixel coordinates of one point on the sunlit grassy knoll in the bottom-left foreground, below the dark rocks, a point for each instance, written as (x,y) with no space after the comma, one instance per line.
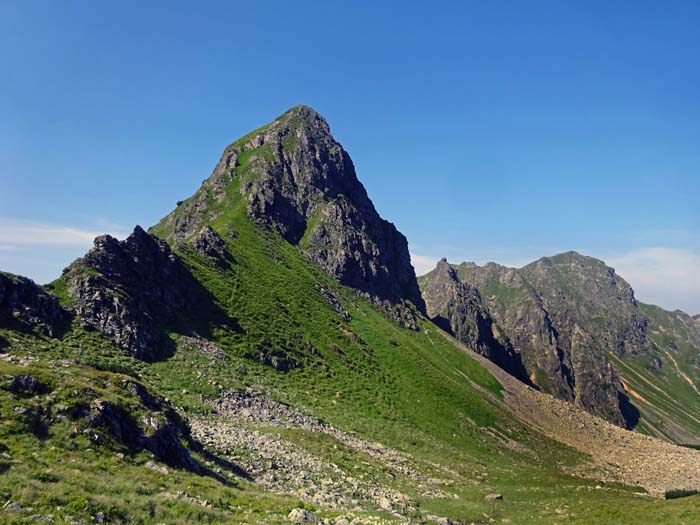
(51,467)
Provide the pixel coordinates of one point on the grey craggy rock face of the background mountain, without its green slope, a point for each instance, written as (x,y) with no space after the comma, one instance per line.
(561,315)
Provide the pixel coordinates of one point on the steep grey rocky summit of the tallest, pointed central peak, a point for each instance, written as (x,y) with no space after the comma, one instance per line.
(297,180)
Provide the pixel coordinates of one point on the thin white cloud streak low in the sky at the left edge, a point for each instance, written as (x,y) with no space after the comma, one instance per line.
(18,232)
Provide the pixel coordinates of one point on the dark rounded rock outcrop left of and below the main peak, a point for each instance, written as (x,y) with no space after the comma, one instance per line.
(130,291)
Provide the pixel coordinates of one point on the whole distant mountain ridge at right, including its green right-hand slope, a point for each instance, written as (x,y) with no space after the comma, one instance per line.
(571,322)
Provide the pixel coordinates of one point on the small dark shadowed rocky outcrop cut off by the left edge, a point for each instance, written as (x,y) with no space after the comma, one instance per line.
(25,305)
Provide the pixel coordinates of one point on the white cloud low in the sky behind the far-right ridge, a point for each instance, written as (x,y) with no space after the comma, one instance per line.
(668,277)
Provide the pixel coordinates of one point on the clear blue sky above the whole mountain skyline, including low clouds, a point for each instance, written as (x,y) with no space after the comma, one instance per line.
(485,130)
